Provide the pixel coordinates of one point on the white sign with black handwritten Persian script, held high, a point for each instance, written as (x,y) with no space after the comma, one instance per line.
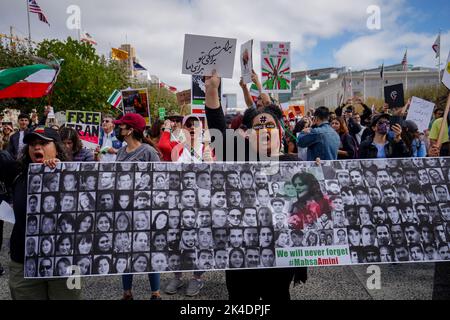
(204,54)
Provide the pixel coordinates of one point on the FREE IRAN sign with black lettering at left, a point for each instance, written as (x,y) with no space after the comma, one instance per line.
(87,124)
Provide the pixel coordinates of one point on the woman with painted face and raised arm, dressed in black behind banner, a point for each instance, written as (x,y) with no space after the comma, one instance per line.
(264,140)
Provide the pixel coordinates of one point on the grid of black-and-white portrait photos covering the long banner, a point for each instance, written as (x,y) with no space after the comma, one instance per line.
(119,218)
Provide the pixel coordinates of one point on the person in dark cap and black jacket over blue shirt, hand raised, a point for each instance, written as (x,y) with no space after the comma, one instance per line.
(380,145)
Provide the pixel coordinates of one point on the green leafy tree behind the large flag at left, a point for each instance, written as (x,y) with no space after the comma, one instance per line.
(85,82)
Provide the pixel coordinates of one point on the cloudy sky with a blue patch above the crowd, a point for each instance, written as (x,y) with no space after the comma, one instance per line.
(322,33)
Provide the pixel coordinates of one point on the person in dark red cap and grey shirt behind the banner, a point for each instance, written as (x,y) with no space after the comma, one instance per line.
(131,130)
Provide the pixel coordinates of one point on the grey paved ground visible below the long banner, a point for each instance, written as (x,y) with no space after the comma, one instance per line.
(333,283)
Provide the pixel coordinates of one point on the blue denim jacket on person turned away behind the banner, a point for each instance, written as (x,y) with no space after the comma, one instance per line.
(322,142)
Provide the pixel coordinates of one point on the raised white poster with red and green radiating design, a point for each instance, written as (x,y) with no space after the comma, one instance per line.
(276,67)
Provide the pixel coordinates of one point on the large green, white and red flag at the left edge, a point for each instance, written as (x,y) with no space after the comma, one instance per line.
(34,81)
